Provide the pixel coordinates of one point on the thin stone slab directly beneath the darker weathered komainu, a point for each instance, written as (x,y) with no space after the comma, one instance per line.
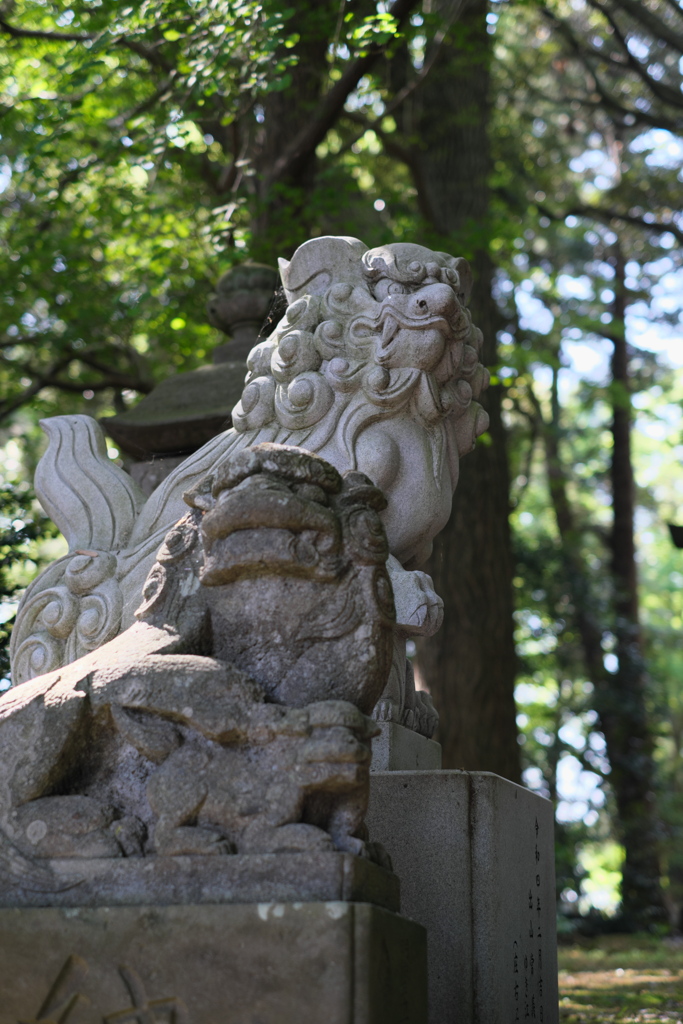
(168,881)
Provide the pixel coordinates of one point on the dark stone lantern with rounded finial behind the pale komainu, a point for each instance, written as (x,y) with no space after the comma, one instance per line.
(188,410)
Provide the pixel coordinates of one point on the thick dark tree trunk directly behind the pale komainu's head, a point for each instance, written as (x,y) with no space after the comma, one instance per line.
(469,666)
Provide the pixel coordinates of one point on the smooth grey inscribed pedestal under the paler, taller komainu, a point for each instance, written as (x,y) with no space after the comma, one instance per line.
(475,856)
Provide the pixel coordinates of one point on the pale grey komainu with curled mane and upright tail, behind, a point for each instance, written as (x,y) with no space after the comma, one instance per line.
(375,367)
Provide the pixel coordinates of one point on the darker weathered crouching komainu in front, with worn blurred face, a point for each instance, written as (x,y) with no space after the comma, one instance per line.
(233,716)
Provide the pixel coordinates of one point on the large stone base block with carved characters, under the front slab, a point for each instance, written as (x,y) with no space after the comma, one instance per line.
(249,964)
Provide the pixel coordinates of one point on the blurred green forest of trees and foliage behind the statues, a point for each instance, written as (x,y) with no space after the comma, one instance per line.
(146,149)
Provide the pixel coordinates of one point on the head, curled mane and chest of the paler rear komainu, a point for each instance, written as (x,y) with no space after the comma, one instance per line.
(376,366)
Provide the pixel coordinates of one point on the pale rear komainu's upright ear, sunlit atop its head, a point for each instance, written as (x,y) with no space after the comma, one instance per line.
(322,263)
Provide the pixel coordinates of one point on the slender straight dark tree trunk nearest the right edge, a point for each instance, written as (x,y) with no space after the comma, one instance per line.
(623,696)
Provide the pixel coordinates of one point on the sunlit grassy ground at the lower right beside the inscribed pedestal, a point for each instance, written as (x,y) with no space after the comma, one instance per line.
(628,978)
